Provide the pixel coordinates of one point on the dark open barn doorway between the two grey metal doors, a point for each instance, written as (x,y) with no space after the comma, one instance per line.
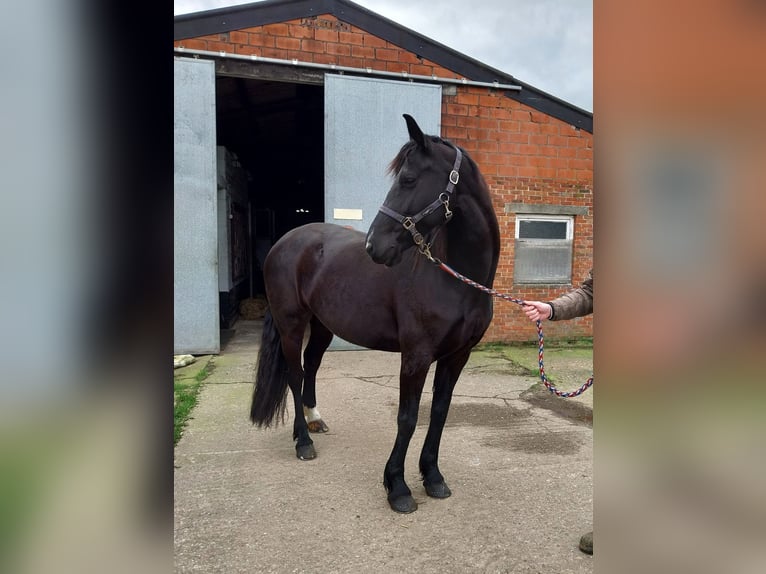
(273,133)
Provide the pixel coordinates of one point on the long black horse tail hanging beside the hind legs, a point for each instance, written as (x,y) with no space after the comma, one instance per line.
(271,380)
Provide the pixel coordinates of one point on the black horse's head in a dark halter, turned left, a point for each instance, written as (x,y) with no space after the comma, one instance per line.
(425,172)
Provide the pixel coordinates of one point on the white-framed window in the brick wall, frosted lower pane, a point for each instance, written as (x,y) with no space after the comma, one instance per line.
(543,251)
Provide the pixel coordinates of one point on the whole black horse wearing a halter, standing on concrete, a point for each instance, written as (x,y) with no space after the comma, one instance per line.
(384,294)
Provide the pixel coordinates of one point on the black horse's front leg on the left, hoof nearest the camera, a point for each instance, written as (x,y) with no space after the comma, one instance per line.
(410,389)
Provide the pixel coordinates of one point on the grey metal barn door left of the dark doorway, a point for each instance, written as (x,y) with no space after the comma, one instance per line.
(195,243)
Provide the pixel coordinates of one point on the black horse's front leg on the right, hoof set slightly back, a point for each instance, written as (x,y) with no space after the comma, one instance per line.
(447,372)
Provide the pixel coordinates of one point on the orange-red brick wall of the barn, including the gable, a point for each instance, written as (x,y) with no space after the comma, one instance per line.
(525,155)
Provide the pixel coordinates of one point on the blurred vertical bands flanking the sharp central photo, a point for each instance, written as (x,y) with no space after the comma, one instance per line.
(85,293)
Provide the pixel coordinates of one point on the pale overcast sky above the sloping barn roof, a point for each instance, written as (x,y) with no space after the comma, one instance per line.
(546,43)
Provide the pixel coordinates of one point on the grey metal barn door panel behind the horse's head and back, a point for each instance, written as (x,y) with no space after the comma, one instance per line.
(364,130)
